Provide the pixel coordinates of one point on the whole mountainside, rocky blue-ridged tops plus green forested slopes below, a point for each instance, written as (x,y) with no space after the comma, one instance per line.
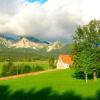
(30,48)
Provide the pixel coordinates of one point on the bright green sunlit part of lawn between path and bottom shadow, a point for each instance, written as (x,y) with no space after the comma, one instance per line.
(60,81)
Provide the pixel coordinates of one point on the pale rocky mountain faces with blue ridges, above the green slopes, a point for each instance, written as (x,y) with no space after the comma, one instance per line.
(15,41)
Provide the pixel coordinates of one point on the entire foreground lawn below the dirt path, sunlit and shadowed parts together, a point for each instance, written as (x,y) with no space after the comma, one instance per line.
(56,85)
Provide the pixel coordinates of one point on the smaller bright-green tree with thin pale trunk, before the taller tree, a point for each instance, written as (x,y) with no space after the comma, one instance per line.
(84,60)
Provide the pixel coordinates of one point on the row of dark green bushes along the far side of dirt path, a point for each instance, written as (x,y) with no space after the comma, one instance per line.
(9,68)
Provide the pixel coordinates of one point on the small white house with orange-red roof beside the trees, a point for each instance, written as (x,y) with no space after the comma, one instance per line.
(64,61)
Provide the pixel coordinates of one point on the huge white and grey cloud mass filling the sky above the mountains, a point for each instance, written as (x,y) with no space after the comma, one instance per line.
(55,19)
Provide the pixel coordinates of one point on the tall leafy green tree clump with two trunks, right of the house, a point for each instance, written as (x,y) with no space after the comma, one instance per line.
(85,50)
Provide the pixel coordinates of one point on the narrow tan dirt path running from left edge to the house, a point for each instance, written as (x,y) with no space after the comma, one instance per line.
(26,74)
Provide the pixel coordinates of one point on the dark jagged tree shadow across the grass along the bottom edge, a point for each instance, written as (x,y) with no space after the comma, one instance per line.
(44,94)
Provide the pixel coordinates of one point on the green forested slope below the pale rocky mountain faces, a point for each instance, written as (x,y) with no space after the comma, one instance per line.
(28,54)
